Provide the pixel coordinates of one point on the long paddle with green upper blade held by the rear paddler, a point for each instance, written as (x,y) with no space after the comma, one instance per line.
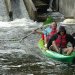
(46,23)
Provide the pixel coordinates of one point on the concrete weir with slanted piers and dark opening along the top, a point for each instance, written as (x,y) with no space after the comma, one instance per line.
(37,9)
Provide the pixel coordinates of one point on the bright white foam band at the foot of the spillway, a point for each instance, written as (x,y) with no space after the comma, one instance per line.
(20,22)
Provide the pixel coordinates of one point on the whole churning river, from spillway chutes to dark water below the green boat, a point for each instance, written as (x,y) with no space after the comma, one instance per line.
(23,57)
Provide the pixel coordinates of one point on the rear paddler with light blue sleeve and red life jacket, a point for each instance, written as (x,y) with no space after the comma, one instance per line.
(48,32)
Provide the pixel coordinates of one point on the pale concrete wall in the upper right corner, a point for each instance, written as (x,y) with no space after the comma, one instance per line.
(67,7)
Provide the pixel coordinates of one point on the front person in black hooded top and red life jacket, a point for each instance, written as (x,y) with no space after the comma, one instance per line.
(59,41)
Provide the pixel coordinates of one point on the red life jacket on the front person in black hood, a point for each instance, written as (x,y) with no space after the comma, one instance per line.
(61,41)
